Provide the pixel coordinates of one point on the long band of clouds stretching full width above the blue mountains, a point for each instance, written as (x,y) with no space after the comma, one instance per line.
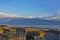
(8,15)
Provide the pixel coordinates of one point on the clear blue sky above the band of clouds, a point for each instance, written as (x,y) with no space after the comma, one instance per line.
(30,7)
